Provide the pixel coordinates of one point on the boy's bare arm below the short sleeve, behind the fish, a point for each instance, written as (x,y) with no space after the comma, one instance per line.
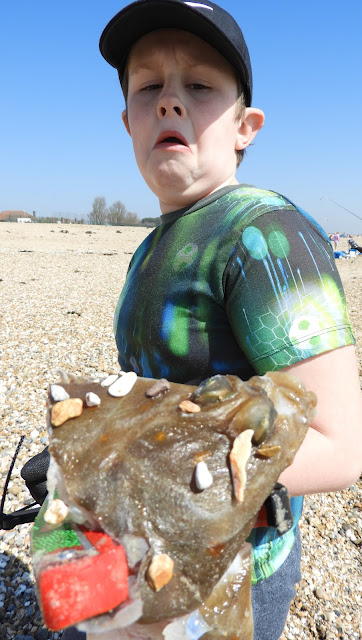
(330,457)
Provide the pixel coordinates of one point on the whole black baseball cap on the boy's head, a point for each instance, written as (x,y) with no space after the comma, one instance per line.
(203,18)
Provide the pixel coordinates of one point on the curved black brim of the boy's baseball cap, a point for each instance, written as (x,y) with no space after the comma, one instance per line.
(140,18)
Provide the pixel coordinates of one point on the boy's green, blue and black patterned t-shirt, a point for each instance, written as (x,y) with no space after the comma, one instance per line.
(242,282)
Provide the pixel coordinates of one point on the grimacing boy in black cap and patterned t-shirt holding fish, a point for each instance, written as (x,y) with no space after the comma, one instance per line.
(235,279)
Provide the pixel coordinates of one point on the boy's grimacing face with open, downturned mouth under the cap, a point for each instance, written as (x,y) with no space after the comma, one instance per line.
(181,109)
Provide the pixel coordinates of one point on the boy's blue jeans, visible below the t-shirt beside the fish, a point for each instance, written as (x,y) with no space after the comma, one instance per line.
(271,598)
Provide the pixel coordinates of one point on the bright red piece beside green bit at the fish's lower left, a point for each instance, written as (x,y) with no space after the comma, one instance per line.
(84,587)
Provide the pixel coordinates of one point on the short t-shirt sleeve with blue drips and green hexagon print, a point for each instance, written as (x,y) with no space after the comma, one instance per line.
(283,294)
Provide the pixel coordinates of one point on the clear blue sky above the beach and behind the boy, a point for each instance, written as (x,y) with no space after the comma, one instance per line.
(63,142)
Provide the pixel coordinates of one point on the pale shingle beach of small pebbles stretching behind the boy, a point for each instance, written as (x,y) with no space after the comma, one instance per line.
(59,285)
